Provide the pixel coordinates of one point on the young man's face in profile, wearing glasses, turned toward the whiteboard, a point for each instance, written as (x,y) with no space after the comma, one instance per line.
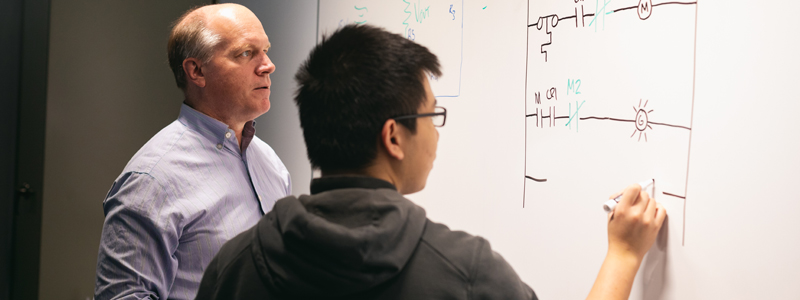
(421,149)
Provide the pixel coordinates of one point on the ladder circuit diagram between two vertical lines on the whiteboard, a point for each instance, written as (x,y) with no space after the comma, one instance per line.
(609,96)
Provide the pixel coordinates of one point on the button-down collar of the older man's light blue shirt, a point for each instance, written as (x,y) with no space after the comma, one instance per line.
(212,129)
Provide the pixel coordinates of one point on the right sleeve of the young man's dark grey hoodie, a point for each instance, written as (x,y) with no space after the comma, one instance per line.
(493,277)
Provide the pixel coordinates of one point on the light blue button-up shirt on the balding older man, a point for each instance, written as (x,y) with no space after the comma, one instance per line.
(185,193)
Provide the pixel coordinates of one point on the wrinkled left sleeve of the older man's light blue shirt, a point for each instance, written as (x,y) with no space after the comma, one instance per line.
(140,235)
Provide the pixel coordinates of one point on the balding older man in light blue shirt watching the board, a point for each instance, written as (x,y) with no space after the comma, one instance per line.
(204,178)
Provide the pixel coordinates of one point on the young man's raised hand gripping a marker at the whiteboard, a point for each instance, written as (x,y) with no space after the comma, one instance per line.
(634,223)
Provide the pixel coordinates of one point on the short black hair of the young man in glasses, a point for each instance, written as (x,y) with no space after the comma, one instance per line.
(350,85)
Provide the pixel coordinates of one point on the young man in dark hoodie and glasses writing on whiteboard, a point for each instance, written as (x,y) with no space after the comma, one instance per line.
(369,120)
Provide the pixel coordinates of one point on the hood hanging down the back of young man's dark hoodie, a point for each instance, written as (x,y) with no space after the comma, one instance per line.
(352,234)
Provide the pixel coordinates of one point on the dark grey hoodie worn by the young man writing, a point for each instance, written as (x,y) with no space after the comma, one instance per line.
(357,238)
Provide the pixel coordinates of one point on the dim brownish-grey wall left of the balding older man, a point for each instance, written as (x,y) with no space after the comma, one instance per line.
(109,90)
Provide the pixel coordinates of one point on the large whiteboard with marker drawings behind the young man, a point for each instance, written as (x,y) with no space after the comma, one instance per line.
(555,105)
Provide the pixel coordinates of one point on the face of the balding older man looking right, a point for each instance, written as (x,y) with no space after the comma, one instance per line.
(237,77)
